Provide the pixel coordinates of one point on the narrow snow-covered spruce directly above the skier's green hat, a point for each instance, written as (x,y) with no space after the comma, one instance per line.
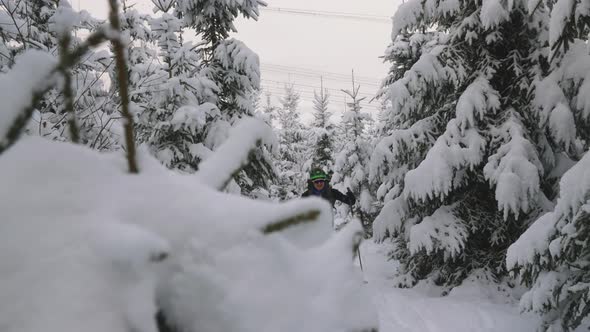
(323,131)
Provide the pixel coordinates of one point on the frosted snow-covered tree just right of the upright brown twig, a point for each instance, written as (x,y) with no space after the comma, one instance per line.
(178,101)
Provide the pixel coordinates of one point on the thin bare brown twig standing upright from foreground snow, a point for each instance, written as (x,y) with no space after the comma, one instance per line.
(123,87)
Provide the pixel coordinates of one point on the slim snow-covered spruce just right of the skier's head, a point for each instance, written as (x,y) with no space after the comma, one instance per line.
(352,162)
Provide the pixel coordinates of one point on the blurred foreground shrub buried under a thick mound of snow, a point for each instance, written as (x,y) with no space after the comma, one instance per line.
(86,246)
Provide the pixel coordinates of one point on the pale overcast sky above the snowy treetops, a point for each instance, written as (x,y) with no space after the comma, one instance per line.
(301,48)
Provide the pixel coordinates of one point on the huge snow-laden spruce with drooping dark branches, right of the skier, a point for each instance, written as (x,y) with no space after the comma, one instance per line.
(468,160)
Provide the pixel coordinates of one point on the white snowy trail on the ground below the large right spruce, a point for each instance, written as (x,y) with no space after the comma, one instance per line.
(471,308)
